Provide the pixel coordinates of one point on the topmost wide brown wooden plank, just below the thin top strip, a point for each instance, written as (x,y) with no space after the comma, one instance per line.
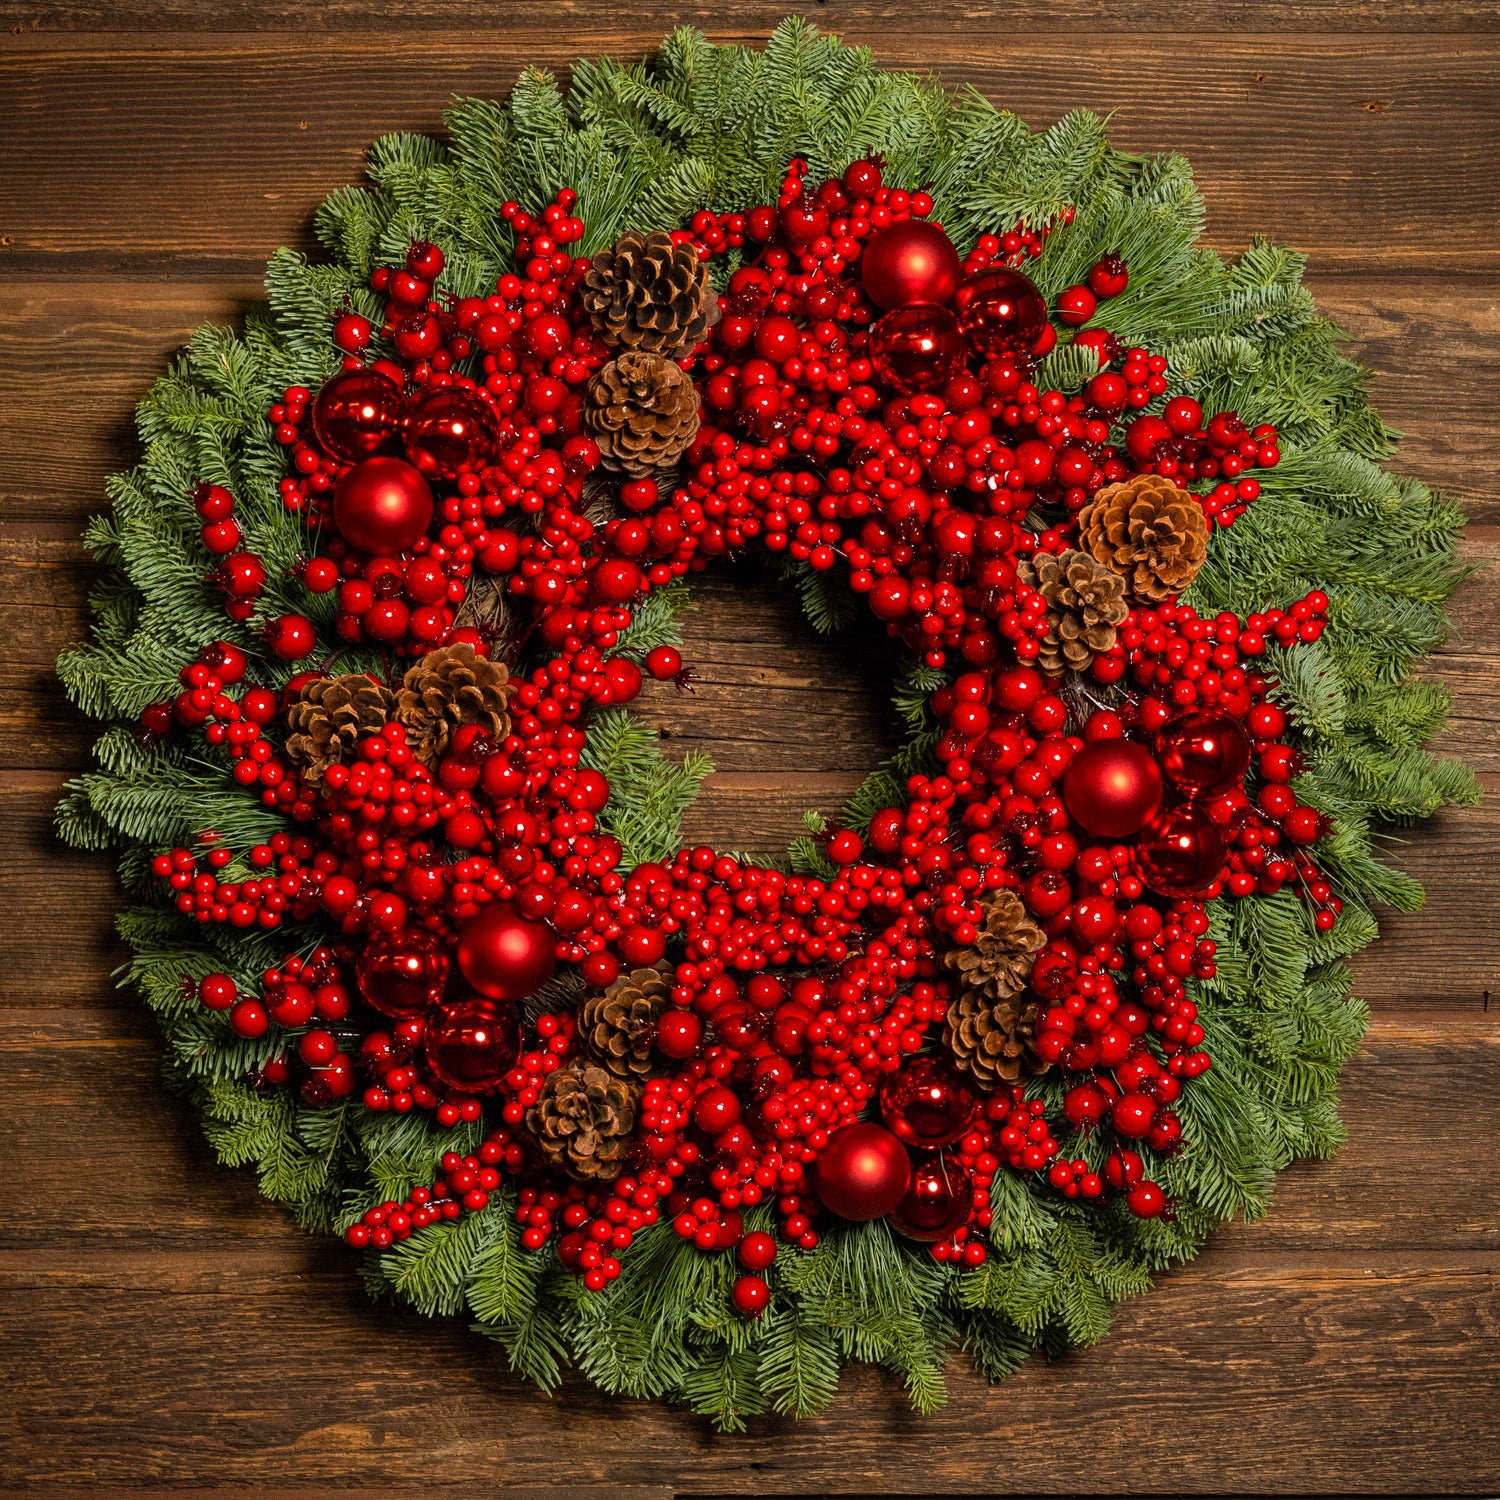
(187,151)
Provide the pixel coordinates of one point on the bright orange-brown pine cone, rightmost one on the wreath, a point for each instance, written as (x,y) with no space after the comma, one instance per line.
(1150,532)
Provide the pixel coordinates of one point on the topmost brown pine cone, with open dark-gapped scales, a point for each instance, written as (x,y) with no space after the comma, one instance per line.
(647,293)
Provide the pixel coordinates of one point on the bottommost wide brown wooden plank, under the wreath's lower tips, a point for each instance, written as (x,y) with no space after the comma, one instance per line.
(1337,1367)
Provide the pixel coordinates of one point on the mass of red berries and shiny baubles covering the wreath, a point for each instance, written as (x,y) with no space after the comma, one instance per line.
(868,403)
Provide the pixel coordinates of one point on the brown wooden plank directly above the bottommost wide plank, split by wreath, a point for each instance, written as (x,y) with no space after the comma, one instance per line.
(148,1172)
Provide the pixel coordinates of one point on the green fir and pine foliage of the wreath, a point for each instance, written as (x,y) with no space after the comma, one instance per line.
(647,145)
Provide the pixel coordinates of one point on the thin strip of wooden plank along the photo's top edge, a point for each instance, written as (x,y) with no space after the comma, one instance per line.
(856,20)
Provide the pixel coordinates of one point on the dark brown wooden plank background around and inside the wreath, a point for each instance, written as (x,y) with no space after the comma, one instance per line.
(164,1328)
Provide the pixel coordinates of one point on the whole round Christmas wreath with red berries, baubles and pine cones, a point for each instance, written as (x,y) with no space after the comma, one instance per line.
(1058,992)
